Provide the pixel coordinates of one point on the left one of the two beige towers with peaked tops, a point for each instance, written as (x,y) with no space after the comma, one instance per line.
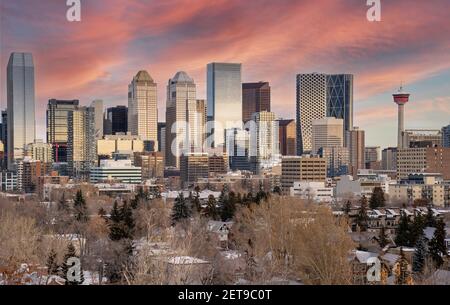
(143,109)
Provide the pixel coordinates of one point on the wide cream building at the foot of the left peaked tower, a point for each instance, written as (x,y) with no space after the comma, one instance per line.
(119,142)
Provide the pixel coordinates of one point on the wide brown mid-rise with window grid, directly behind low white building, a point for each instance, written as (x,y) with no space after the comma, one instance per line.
(302,168)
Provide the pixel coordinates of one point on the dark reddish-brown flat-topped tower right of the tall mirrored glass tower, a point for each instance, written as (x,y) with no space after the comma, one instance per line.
(255,98)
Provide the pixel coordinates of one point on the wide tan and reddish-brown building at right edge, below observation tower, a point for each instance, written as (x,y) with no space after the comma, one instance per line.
(423,160)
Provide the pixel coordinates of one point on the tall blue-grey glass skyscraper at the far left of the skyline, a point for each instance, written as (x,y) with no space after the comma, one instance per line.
(21,105)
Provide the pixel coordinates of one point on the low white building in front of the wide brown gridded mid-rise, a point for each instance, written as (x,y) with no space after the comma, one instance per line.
(315,191)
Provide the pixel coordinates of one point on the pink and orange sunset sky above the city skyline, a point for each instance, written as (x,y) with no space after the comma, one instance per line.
(274,40)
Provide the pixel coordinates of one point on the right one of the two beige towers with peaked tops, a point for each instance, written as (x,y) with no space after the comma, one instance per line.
(185,119)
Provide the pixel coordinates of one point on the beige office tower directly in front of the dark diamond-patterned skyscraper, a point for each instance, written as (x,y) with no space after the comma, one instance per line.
(327,133)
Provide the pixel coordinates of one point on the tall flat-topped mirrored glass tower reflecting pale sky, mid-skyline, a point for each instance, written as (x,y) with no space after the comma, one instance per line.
(224,91)
